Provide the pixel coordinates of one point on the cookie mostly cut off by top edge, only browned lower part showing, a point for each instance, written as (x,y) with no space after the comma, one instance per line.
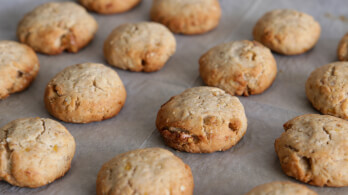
(109,6)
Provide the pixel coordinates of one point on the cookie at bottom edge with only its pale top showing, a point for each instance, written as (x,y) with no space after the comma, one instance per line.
(281,188)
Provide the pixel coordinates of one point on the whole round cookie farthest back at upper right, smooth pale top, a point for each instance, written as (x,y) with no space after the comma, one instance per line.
(287,32)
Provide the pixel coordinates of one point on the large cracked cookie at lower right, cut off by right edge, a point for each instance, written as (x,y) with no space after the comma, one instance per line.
(313,149)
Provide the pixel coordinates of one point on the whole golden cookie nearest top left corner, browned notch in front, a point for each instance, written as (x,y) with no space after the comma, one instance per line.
(54,27)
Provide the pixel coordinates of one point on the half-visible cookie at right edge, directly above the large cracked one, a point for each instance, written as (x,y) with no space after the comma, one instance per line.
(327,89)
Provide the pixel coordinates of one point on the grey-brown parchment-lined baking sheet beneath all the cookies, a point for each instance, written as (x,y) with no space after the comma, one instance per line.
(251,162)
